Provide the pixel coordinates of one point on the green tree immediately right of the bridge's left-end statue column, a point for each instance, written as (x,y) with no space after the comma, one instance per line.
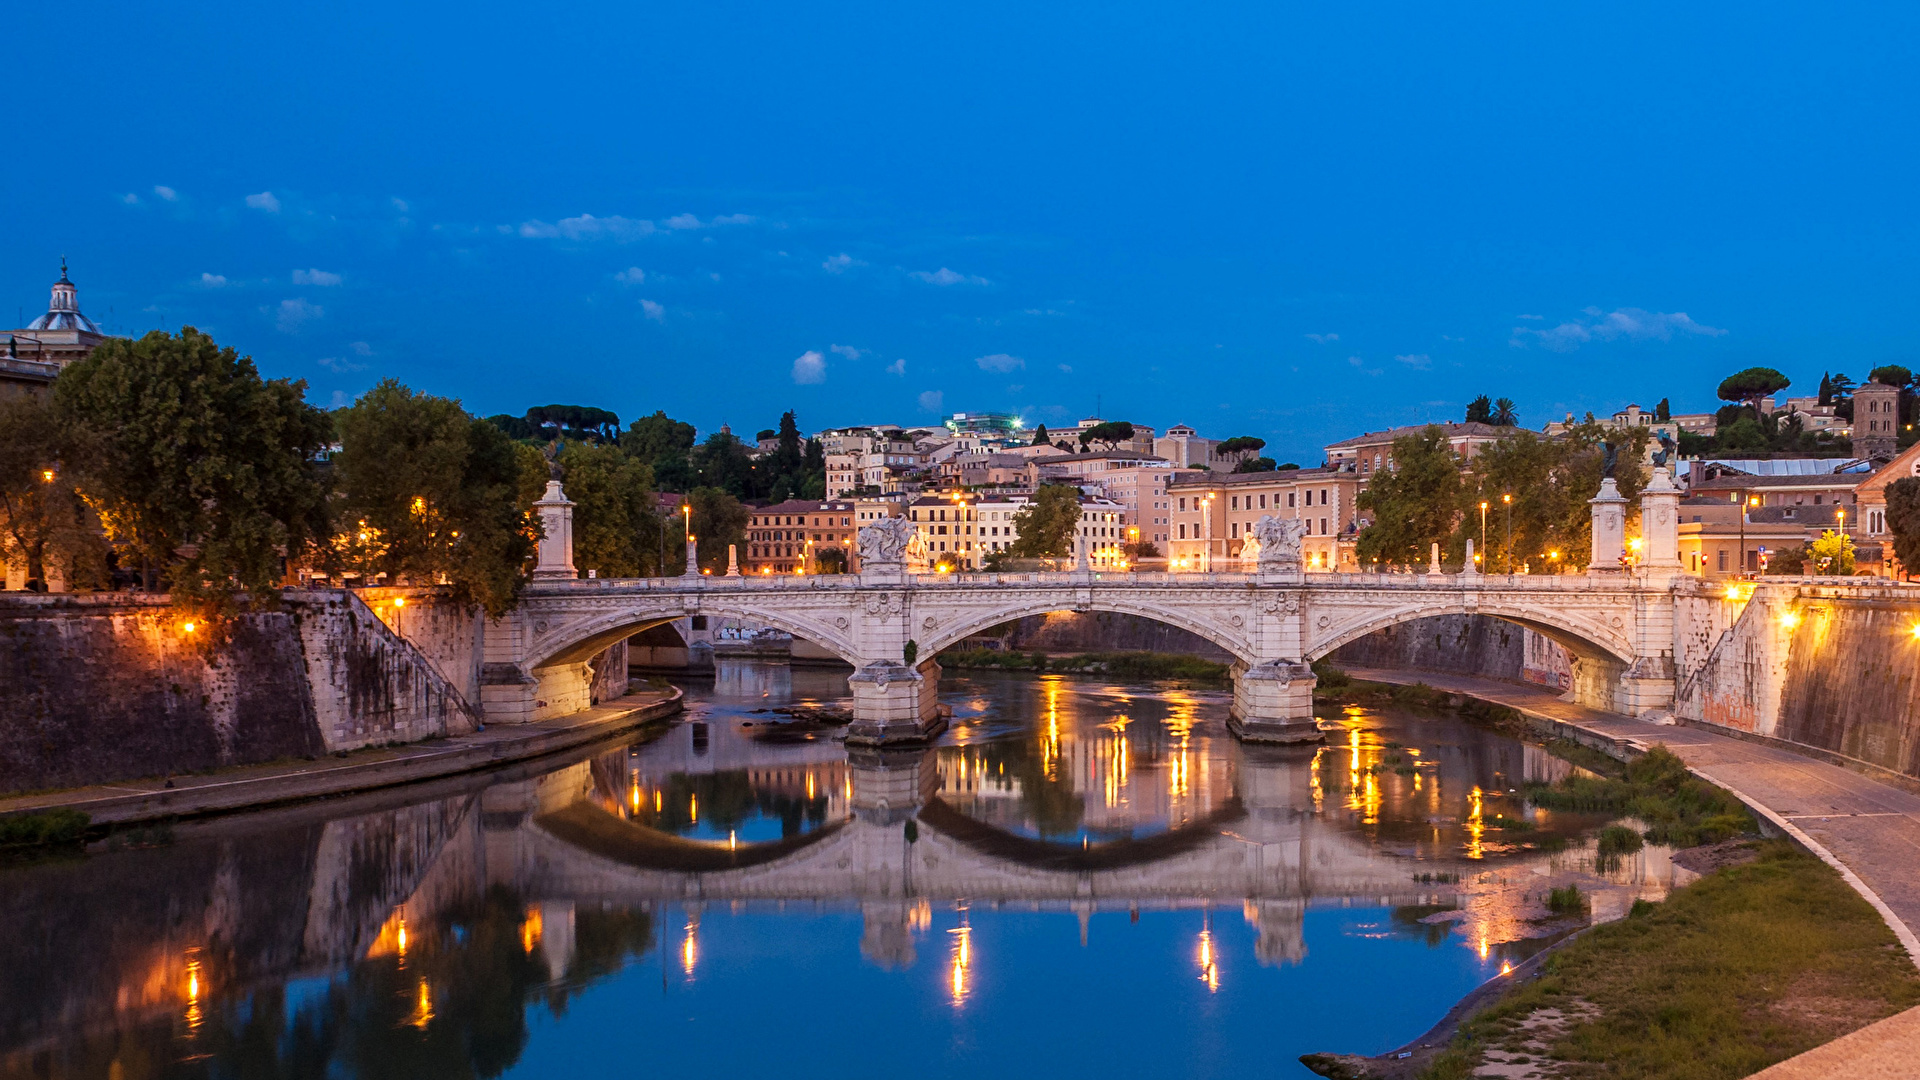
(617,529)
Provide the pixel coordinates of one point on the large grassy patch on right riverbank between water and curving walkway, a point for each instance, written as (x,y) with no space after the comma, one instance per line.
(1746,968)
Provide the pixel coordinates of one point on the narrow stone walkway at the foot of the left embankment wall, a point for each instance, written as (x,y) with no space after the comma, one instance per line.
(251,787)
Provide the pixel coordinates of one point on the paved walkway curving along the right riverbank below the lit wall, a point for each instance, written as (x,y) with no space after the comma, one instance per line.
(1865,829)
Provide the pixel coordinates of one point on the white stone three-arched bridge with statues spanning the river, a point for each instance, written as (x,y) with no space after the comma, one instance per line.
(1631,629)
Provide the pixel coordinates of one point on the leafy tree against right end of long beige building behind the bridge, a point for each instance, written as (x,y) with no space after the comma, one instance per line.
(1414,503)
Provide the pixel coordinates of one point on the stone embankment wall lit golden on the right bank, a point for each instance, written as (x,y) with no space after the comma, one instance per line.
(1825,668)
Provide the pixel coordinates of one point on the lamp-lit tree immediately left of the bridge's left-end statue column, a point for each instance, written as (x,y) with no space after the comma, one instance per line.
(431,493)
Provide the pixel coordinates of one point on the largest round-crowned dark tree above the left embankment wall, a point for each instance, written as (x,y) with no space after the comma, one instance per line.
(199,466)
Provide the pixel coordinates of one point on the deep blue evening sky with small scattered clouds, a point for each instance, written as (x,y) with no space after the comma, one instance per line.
(1295,222)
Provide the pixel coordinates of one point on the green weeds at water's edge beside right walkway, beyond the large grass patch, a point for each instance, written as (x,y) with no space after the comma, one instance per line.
(1679,808)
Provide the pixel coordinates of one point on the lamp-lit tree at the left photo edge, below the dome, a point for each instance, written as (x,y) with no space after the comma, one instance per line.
(45,526)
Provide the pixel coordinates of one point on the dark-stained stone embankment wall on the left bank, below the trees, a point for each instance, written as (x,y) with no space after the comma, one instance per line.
(112,687)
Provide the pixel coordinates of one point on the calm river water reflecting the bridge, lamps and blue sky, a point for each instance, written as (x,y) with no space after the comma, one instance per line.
(1078,879)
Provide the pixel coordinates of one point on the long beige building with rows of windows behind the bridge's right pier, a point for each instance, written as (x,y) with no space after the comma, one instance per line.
(1214,514)
